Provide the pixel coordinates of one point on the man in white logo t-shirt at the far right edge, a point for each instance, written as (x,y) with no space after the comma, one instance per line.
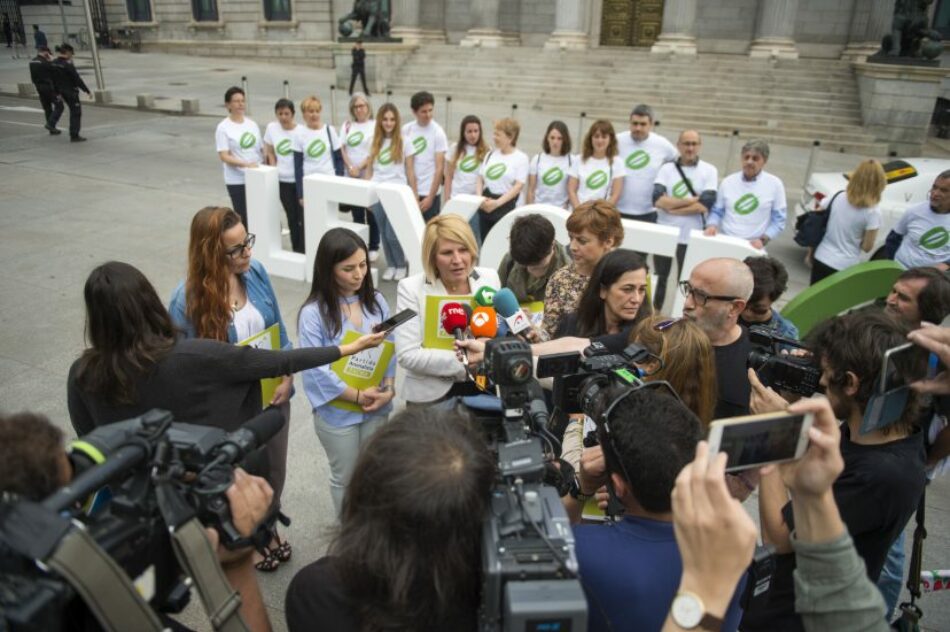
(922,234)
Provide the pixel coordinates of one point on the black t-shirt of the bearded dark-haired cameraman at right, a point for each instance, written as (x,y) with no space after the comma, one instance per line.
(877,493)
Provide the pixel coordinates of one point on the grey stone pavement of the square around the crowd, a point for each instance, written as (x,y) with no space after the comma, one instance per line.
(129,194)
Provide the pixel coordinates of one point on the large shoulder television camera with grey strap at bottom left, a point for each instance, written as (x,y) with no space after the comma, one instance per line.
(144,481)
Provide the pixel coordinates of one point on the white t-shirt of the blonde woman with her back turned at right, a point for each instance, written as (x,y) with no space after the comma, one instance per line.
(841,246)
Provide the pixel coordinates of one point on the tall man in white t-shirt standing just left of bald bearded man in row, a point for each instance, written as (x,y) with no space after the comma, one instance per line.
(643,153)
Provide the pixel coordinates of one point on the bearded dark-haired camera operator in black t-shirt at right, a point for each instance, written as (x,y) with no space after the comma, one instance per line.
(883,475)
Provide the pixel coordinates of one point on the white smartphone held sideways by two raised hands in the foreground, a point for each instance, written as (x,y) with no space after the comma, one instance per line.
(757,440)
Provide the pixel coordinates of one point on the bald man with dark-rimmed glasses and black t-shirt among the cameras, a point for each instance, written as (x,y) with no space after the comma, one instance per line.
(716,294)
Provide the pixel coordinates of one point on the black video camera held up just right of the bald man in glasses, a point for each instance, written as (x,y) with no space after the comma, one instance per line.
(794,374)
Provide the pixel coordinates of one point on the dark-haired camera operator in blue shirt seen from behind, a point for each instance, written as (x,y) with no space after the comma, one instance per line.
(631,568)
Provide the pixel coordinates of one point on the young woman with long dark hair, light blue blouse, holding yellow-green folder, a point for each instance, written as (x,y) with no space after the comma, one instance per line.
(343,304)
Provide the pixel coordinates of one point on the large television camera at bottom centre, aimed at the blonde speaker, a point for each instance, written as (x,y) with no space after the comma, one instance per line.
(529,568)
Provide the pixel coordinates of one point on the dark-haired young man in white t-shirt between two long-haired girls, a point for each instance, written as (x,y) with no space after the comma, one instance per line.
(425,154)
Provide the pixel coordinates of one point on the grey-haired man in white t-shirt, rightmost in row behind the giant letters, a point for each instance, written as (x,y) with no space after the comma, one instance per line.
(751,203)
